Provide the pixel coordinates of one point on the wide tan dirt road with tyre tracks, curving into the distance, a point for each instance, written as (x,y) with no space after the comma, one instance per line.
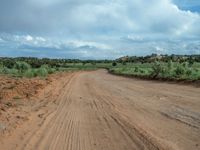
(99,111)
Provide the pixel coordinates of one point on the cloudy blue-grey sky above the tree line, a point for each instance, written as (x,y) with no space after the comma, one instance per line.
(98,29)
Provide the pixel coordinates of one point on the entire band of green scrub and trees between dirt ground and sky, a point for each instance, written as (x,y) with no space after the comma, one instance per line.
(173,67)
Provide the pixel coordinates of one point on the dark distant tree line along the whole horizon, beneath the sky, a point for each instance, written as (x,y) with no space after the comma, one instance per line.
(37,62)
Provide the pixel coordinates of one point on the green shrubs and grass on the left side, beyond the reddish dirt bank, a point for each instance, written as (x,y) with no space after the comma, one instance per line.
(33,67)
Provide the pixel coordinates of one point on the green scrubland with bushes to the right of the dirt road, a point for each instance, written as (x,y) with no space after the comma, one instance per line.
(162,67)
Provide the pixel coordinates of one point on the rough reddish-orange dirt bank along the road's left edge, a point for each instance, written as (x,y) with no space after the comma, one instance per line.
(19,97)
